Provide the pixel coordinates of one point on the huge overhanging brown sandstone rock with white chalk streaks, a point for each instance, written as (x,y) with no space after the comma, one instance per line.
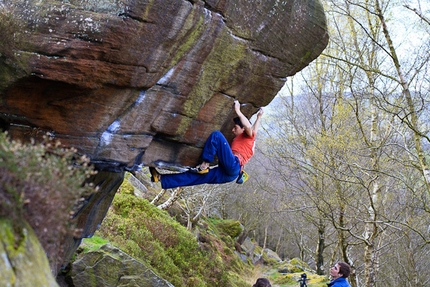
(134,83)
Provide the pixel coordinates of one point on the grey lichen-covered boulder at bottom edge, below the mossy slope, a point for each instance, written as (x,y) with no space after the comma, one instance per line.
(110,267)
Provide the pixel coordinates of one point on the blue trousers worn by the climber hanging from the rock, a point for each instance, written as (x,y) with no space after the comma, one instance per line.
(228,165)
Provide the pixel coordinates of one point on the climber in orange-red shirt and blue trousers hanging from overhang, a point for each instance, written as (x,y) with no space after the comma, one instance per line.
(230,159)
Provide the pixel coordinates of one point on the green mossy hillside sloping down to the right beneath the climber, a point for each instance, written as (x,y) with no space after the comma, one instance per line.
(204,257)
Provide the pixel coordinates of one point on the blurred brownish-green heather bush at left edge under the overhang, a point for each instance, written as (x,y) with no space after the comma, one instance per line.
(41,183)
